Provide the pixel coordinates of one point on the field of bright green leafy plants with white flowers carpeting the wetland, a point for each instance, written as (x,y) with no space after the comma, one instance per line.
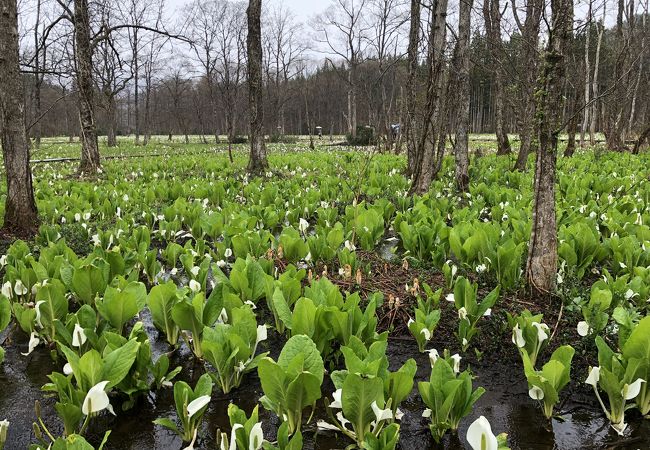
(325,295)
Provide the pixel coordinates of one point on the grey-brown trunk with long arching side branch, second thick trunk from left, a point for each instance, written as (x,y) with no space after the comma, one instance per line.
(90,160)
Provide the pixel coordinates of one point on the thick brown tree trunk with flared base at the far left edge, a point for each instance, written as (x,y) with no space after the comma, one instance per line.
(21,216)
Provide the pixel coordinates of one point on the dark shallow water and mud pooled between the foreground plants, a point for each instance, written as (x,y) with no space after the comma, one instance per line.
(506,405)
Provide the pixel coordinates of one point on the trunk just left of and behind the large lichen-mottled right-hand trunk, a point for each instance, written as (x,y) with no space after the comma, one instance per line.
(527,102)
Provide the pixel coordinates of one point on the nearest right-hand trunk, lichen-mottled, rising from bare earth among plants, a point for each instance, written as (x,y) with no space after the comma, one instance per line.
(541,264)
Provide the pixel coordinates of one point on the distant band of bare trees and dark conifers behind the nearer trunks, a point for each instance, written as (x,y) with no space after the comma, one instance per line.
(312,77)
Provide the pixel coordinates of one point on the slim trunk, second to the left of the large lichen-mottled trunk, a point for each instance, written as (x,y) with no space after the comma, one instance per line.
(492,15)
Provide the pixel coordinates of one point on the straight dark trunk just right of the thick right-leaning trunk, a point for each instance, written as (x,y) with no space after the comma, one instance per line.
(461,150)
